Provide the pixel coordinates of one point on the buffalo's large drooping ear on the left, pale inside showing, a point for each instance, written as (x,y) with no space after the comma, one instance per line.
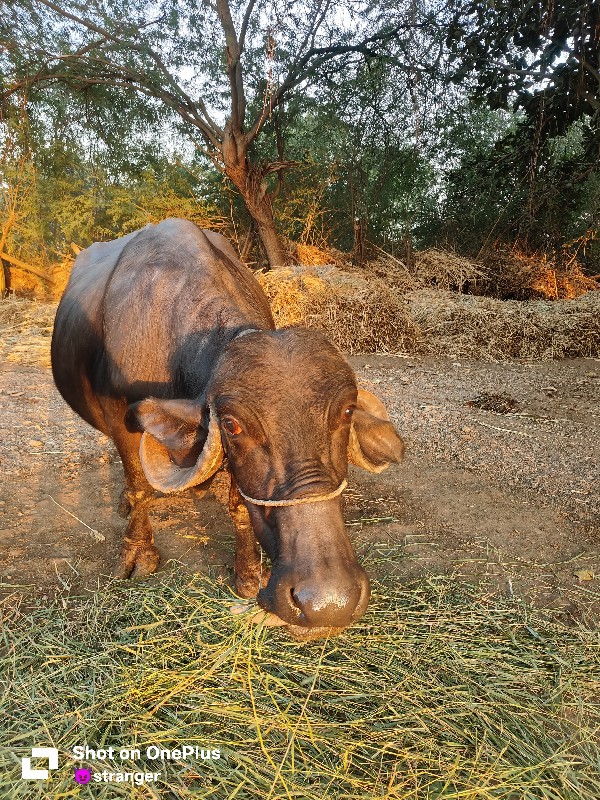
(178,448)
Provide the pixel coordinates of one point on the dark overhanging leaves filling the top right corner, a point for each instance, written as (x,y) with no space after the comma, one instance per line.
(535,56)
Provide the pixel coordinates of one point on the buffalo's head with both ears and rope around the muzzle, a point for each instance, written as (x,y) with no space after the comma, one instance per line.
(284,409)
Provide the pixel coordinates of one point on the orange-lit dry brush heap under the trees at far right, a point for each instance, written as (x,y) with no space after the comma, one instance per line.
(520,276)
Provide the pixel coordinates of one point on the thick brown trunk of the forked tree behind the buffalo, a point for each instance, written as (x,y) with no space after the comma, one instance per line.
(249,180)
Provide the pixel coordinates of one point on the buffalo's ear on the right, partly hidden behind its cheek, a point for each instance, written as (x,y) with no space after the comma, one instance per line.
(374,443)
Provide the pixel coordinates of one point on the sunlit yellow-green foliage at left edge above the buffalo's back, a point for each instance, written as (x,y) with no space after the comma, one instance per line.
(61,190)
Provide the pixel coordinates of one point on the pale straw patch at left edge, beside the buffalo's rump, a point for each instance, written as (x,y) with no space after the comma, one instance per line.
(26,331)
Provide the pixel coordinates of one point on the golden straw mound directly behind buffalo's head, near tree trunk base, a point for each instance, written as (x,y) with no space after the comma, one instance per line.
(356,314)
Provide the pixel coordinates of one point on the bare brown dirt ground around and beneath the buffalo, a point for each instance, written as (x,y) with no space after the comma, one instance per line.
(504,489)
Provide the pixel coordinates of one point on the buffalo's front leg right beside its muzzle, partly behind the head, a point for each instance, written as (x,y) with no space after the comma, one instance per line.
(249,572)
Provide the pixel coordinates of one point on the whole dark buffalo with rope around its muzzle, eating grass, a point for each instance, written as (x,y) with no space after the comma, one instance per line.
(165,342)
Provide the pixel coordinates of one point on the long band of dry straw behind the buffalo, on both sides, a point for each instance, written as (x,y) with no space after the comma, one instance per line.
(370,315)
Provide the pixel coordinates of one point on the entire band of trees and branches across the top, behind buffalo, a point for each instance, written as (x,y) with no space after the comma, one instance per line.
(462,123)
